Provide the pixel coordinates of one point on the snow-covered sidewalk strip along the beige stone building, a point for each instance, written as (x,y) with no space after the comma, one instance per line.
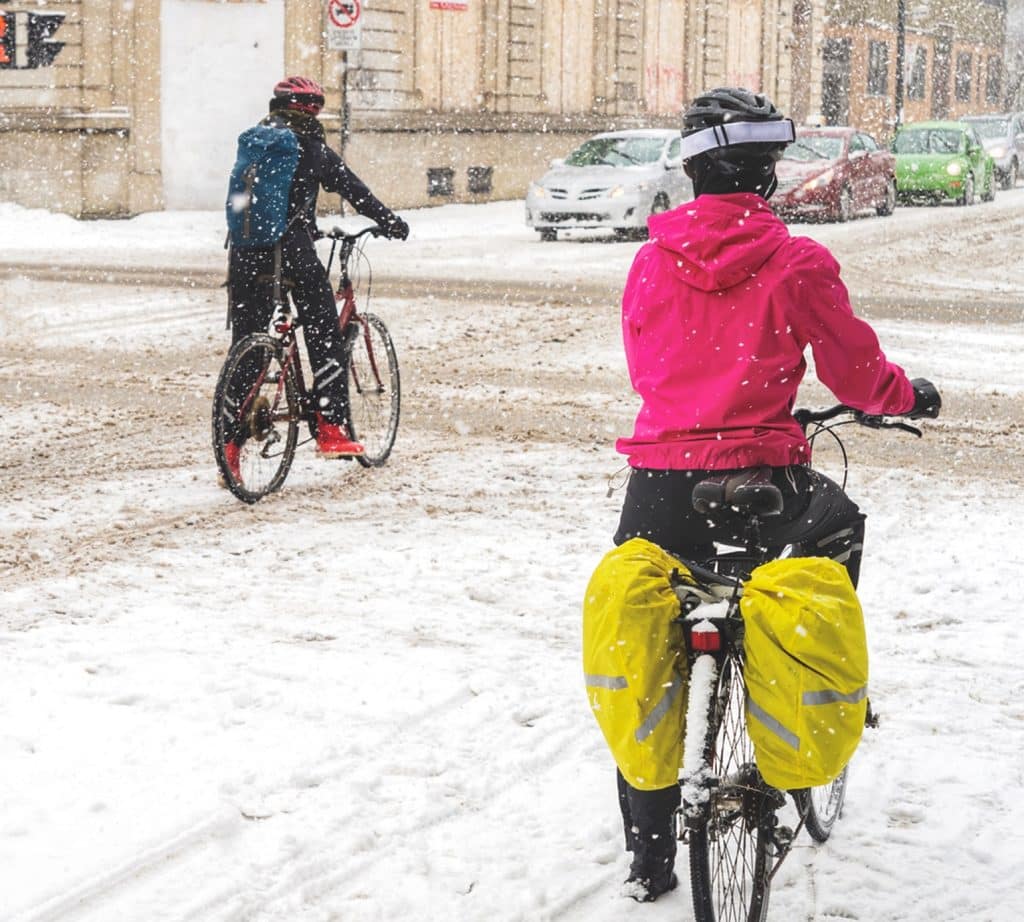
(459,247)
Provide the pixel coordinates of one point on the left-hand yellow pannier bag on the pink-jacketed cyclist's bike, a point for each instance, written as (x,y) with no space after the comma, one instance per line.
(634,662)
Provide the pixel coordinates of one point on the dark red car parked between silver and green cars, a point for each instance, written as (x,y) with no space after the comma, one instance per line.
(832,175)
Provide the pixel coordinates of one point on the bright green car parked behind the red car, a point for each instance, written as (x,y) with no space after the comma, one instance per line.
(943,160)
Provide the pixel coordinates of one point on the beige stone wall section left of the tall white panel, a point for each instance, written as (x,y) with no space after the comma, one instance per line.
(79,106)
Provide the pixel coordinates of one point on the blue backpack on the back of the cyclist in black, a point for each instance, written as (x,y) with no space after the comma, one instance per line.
(261,185)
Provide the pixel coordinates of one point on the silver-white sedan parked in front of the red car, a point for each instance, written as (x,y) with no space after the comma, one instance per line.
(616,181)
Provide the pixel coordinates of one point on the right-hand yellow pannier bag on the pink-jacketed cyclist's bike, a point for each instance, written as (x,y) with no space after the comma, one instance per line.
(806,670)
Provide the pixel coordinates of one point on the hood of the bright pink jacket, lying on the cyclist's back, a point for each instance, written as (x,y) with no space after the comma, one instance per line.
(719,241)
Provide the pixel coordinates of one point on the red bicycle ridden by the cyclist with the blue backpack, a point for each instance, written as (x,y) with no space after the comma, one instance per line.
(262,396)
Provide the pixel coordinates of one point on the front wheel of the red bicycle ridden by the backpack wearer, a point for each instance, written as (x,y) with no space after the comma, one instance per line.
(374,390)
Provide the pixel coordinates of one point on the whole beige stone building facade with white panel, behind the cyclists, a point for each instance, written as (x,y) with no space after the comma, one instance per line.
(440,101)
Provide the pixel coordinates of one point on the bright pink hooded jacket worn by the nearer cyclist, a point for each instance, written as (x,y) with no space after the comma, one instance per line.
(717,313)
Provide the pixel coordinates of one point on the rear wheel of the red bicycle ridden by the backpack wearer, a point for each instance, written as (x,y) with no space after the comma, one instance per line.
(267,425)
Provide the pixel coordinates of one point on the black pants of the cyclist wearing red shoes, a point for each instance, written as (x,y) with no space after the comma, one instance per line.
(250,277)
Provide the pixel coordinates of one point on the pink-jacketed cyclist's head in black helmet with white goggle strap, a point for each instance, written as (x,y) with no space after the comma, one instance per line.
(736,136)
